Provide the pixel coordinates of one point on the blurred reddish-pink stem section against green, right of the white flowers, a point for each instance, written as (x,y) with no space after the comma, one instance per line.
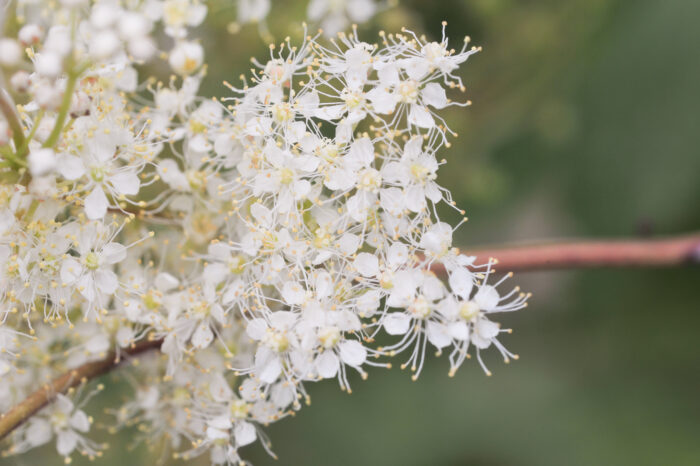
(663,252)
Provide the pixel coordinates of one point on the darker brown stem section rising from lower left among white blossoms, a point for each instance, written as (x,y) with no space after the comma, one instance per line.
(45,395)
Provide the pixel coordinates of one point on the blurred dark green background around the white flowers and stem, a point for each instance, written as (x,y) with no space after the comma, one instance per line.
(585,122)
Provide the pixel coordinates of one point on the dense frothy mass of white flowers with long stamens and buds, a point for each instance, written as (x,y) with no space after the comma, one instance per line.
(268,238)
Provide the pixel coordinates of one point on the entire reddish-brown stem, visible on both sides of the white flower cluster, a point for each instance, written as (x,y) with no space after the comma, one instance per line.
(668,252)
